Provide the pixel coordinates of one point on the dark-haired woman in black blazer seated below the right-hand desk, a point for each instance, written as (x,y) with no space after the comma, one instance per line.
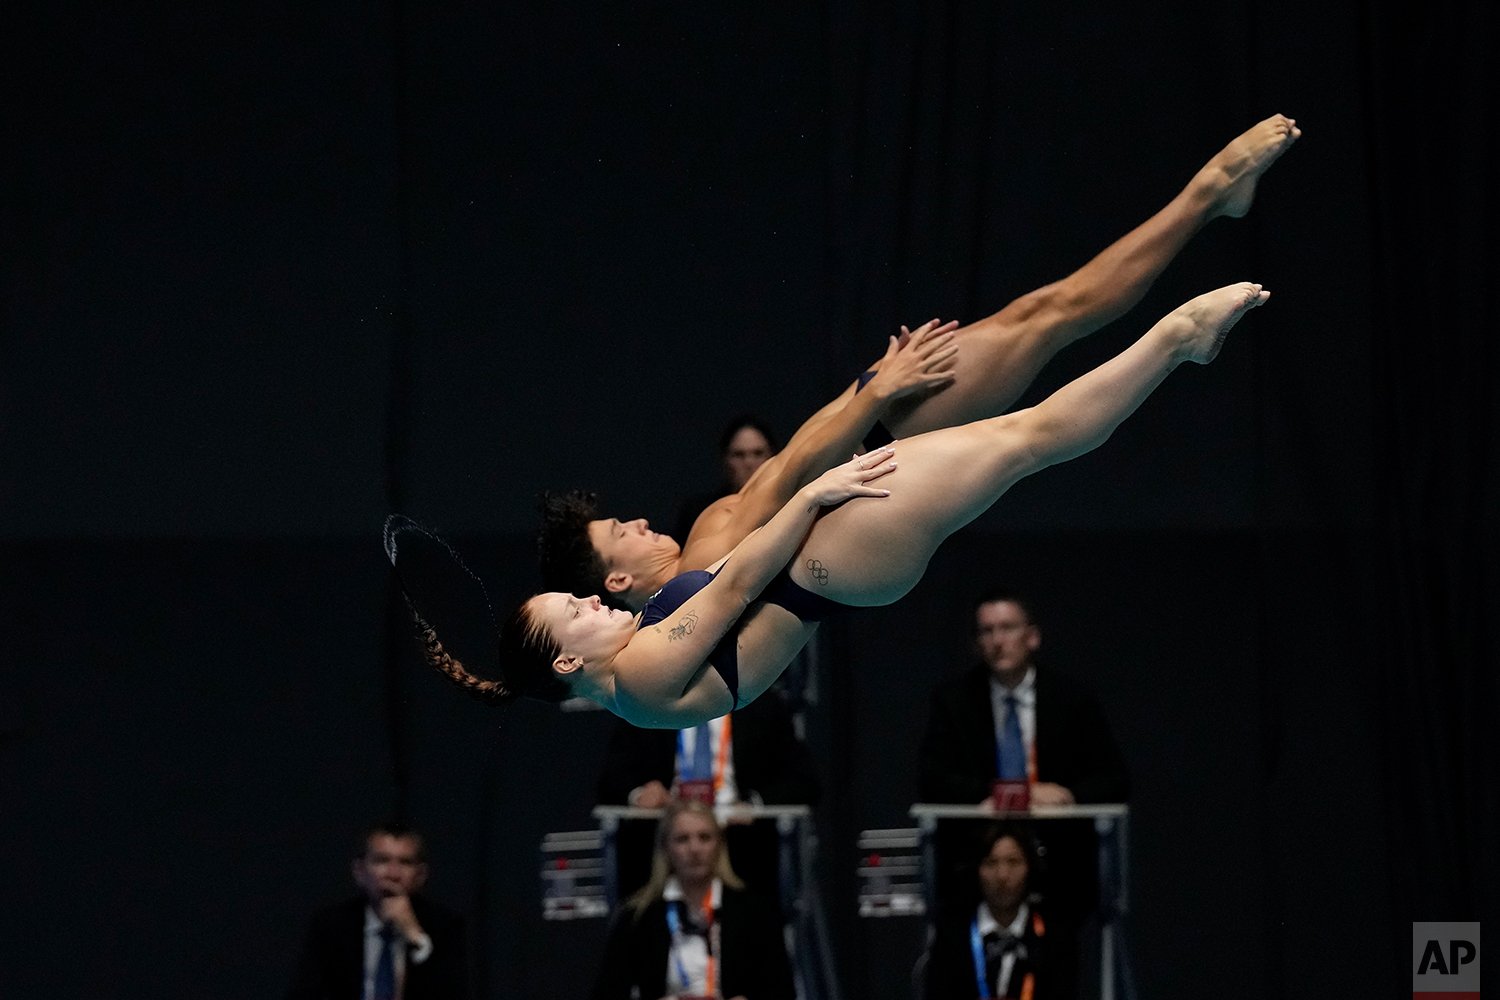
(1000,944)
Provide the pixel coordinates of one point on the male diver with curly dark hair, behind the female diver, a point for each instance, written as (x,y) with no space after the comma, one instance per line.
(938,380)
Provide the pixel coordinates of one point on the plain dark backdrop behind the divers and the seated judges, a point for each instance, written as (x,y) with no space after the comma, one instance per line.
(272,272)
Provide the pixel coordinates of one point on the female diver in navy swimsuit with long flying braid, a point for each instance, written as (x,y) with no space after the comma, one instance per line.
(859,536)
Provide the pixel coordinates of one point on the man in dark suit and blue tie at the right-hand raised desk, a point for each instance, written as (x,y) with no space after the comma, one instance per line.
(1006,717)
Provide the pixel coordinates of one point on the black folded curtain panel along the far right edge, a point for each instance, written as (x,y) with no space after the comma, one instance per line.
(1433,591)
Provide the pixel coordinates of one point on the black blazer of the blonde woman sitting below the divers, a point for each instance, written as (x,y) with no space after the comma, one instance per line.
(754,954)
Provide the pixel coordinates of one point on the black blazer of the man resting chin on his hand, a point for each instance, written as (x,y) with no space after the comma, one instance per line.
(332,960)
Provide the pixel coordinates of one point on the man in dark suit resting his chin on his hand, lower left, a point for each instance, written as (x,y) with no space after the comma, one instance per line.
(389,944)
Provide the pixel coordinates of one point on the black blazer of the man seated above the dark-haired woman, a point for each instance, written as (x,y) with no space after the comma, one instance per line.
(1075,746)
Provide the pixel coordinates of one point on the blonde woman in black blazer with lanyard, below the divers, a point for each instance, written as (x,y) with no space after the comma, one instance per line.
(694,930)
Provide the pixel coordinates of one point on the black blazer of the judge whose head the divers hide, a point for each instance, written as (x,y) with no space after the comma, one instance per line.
(769,758)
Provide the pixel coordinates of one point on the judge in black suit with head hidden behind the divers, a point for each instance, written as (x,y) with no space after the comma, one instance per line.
(751,756)
